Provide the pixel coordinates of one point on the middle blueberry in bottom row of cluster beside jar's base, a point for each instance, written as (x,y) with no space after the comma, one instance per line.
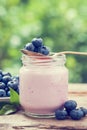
(76,114)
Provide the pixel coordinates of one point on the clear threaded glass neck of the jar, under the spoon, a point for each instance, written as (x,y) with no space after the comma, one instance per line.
(42,61)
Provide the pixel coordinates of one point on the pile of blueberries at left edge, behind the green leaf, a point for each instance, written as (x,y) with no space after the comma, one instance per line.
(8,81)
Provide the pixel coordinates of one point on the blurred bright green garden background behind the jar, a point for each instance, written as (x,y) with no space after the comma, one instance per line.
(61,23)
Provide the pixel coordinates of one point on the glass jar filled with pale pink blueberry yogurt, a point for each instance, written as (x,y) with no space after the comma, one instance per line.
(43,85)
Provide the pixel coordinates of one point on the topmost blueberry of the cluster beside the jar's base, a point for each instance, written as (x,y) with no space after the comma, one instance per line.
(70,105)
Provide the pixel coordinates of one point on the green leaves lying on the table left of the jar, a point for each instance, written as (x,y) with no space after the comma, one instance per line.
(11,106)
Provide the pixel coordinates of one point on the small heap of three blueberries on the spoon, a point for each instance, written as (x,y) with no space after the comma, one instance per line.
(36,45)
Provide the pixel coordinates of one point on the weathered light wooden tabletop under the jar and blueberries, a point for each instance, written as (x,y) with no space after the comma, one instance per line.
(18,121)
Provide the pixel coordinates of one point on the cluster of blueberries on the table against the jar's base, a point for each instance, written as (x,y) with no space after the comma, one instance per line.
(70,111)
